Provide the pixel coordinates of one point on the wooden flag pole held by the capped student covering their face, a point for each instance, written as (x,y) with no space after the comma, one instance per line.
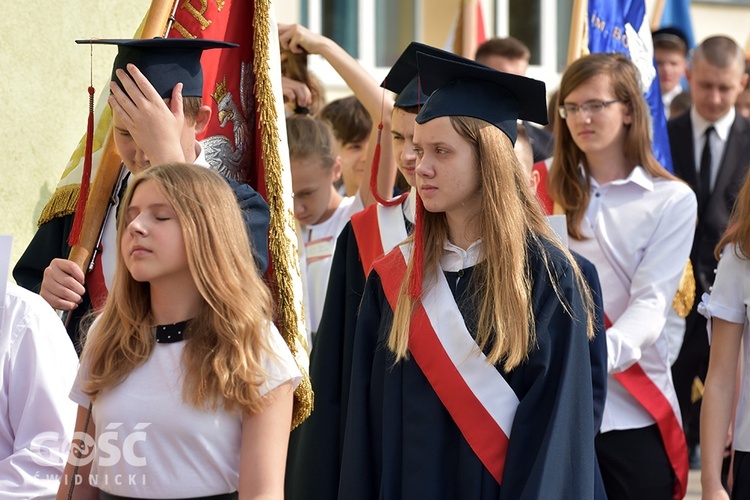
(109,166)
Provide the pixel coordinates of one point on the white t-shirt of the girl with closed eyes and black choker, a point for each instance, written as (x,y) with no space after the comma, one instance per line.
(151,444)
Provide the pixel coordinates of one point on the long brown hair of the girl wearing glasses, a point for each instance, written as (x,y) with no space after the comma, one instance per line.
(565,184)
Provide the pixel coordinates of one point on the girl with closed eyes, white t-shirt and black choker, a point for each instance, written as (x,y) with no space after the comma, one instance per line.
(188,383)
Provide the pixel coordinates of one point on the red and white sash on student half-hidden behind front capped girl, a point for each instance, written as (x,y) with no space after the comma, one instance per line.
(378,229)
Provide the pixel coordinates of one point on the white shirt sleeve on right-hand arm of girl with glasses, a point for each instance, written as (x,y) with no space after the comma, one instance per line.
(654,284)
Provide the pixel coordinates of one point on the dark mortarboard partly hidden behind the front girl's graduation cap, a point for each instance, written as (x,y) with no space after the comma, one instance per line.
(402,79)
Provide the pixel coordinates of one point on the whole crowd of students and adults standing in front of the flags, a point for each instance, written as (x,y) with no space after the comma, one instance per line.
(460,347)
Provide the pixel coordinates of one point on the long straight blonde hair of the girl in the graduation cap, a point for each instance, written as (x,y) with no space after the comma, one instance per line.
(509,221)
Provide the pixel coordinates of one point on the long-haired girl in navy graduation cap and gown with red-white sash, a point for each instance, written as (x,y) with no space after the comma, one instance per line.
(471,375)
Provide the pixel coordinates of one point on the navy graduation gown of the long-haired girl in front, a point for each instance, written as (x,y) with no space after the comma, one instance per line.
(400,441)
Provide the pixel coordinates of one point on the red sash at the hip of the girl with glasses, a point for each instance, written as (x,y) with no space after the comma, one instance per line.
(647,393)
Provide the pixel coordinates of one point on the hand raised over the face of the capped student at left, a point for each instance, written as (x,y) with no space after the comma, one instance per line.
(154,126)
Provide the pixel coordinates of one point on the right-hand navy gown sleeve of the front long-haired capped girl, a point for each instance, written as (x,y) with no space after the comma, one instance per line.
(551,448)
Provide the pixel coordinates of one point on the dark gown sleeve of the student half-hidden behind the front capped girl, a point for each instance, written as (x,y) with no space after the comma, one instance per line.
(314,457)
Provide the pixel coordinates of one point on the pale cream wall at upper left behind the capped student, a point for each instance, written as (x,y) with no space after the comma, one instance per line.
(44,78)
